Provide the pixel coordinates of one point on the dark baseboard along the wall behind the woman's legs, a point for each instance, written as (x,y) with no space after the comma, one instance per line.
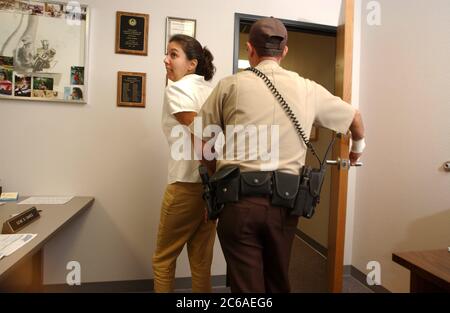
(144,285)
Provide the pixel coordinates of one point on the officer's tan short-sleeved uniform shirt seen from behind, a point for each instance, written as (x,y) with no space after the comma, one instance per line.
(244,99)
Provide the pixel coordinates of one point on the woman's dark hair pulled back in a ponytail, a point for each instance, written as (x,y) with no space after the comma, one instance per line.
(194,51)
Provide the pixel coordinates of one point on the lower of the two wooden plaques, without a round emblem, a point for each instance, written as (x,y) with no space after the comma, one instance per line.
(131,89)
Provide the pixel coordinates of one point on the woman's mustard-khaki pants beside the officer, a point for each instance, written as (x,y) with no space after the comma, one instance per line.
(182,222)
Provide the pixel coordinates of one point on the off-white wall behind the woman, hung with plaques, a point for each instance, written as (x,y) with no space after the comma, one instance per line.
(119,155)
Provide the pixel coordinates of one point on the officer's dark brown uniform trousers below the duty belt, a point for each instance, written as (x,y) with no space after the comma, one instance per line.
(256,240)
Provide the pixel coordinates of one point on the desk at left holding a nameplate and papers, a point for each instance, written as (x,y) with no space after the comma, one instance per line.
(23,270)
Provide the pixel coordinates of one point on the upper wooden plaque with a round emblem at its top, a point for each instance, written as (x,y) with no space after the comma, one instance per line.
(131,33)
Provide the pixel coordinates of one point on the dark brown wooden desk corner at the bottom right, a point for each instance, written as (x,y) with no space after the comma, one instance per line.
(430,270)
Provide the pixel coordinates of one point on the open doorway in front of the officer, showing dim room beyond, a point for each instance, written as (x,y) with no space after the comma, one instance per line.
(312,54)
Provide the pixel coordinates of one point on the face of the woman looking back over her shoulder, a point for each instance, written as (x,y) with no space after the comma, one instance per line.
(176,62)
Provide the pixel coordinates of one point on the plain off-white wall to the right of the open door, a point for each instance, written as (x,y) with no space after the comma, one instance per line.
(402,194)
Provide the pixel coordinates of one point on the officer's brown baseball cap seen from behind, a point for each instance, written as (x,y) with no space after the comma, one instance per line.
(268,35)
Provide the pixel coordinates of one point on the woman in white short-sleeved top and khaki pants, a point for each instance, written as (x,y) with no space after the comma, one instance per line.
(190,68)
